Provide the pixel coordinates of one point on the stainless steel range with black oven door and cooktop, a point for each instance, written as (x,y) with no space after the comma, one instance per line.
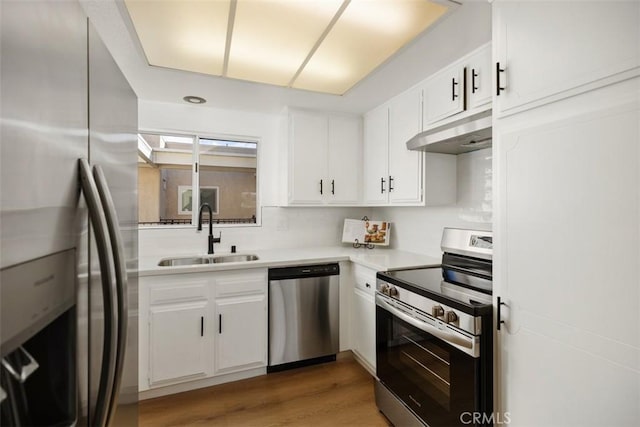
(434,337)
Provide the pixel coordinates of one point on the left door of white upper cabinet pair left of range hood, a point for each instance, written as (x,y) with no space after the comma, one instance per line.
(375,156)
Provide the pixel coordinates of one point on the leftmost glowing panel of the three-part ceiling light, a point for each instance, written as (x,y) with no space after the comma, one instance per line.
(186,35)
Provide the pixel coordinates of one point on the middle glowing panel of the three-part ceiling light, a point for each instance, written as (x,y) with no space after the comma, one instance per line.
(271,39)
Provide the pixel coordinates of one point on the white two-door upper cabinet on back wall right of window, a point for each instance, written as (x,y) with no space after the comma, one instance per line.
(324,158)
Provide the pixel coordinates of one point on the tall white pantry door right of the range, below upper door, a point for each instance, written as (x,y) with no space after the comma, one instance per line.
(579,163)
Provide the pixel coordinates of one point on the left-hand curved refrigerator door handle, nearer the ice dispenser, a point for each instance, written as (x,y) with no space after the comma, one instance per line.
(101,232)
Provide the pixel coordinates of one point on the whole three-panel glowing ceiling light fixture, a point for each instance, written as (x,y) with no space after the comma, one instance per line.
(324,46)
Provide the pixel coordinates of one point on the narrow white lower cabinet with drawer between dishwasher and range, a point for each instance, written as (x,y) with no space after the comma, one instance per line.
(363,317)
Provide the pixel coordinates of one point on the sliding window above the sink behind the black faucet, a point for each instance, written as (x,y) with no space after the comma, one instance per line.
(171,166)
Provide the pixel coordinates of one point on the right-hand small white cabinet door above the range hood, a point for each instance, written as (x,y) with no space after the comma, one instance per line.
(479,78)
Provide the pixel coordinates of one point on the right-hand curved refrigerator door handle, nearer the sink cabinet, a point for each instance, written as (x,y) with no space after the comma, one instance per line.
(121,281)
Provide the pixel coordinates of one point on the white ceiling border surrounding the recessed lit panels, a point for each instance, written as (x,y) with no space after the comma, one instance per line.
(464,29)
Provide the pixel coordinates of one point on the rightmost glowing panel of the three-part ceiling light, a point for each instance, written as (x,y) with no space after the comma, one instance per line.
(366,35)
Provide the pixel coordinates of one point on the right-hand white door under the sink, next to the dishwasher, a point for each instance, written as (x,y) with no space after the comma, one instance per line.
(241,336)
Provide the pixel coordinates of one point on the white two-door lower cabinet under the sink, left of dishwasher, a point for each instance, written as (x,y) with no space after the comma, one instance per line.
(181,336)
